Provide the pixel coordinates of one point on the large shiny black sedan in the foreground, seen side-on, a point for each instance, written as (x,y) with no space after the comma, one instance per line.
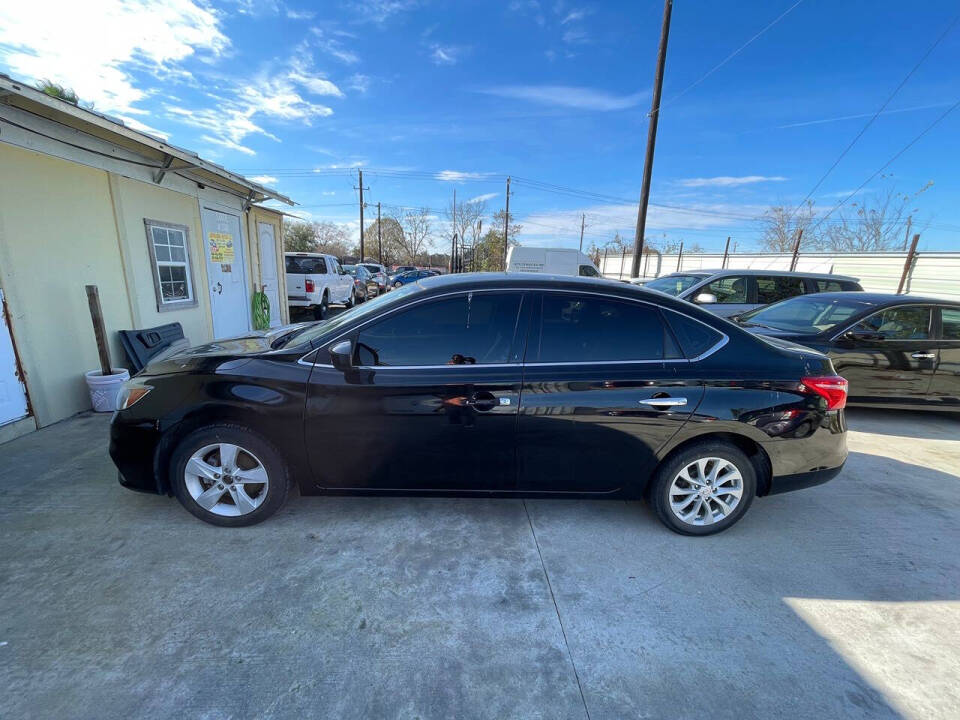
(489,384)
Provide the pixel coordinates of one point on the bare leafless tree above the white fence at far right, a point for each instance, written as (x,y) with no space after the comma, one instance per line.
(874,225)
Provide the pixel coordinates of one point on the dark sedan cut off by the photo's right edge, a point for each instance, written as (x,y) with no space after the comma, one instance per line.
(896,351)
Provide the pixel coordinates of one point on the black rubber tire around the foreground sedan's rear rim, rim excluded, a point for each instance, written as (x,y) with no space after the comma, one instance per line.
(671,467)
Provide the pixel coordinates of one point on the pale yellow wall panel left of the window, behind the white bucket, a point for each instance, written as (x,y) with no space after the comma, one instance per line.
(57,234)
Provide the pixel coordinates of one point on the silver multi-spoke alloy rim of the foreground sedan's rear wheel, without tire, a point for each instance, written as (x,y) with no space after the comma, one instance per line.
(706,491)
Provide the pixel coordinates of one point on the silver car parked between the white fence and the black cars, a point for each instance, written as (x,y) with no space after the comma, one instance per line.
(731,292)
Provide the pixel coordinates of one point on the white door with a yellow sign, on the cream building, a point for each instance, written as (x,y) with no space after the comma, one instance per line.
(226,273)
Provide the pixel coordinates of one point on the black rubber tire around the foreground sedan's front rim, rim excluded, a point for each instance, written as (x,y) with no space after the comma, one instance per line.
(277,488)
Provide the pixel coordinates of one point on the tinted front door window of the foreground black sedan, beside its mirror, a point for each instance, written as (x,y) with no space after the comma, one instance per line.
(476,328)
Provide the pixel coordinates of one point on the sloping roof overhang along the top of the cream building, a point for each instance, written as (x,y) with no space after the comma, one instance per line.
(169,158)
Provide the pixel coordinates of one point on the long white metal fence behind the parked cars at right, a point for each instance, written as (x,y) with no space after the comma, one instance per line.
(936,274)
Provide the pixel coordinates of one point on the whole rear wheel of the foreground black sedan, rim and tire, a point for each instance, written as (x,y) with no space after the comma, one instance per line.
(704,489)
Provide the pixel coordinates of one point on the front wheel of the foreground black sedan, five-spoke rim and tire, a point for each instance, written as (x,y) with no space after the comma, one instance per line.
(228,475)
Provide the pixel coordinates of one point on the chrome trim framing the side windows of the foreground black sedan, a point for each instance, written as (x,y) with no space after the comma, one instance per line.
(707,353)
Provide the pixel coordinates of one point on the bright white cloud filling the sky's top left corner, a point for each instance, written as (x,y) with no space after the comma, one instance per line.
(94,46)
